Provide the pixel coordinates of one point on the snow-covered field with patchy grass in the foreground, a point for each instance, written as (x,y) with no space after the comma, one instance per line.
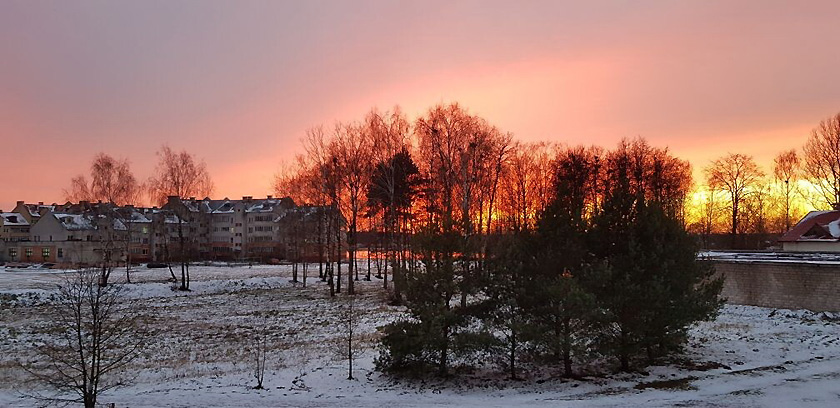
(200,353)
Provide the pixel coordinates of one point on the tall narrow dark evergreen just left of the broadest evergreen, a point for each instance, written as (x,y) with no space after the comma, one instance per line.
(563,311)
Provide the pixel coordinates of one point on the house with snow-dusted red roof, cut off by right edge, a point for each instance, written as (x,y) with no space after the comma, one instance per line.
(818,231)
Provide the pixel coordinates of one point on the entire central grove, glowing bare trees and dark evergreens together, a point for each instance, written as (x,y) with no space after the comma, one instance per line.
(506,250)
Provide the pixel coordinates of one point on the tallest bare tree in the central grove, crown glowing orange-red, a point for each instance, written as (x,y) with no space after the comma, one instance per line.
(462,155)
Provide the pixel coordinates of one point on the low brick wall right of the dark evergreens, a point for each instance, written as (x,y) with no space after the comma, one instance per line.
(782,285)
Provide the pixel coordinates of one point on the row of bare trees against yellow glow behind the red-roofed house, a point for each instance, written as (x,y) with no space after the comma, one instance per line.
(739,197)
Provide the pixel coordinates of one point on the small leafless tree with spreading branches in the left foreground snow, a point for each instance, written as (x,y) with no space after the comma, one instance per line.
(96,335)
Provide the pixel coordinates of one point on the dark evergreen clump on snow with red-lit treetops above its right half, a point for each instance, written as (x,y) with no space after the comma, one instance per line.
(606,270)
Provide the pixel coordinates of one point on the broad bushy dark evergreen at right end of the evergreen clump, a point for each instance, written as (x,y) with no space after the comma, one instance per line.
(650,283)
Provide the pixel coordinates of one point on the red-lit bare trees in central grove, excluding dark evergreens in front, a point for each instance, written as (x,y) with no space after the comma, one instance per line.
(454,172)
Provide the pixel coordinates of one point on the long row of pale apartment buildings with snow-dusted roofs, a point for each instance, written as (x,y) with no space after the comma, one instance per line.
(198,229)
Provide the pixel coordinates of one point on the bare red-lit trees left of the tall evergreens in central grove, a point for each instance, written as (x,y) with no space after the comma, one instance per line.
(386,175)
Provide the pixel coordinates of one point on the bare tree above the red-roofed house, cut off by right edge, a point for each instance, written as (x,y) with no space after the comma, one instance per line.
(821,157)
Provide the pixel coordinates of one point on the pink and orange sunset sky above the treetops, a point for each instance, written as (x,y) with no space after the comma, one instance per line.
(237,83)
